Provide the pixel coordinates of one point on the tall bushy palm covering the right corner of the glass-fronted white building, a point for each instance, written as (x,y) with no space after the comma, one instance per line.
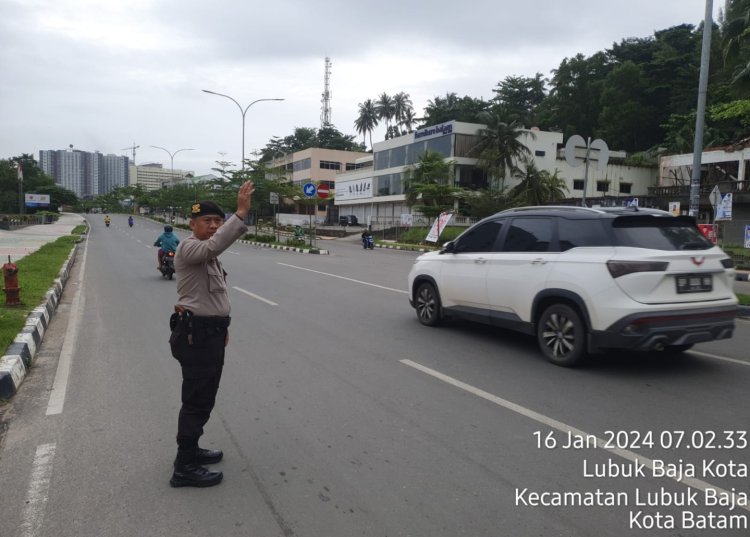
(500,146)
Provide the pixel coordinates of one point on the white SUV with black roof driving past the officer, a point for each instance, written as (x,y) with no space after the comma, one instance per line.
(582,280)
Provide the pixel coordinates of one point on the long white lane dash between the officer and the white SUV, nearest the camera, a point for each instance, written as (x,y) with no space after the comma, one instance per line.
(567,429)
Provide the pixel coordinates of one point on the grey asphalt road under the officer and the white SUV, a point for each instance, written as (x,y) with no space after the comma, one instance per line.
(340,415)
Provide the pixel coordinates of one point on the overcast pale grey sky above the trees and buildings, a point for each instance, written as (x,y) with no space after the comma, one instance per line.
(107,74)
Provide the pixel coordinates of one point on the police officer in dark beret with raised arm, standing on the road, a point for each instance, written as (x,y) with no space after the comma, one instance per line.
(199,331)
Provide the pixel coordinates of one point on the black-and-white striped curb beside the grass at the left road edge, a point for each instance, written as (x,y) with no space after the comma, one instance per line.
(20,354)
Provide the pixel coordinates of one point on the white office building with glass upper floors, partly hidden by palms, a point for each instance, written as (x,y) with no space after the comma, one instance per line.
(375,190)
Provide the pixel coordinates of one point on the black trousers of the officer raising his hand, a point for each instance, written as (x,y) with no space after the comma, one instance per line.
(201,357)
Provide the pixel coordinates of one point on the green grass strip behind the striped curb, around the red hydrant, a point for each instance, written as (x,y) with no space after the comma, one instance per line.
(36,275)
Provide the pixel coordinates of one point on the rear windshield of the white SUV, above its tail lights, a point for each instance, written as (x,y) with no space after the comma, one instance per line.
(658,233)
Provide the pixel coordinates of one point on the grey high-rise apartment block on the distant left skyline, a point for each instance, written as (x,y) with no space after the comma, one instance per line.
(85,173)
